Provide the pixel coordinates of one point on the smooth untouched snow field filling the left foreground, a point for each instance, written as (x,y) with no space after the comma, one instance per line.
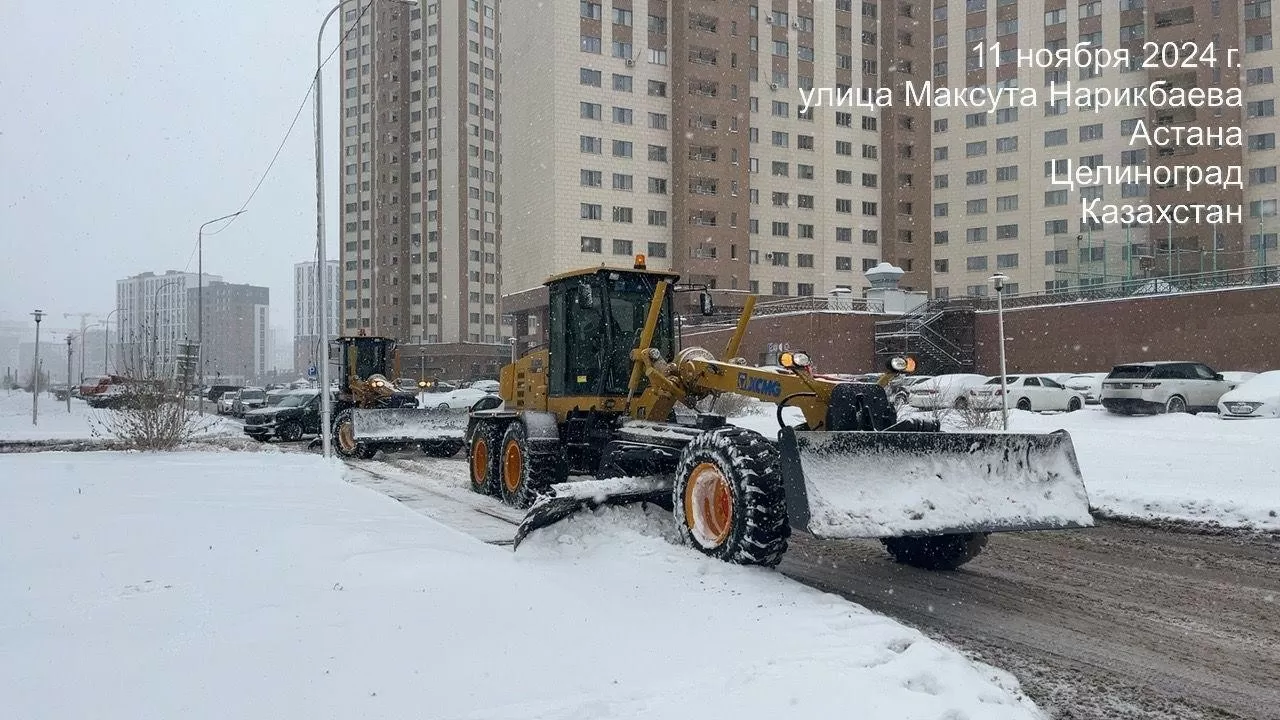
(264,586)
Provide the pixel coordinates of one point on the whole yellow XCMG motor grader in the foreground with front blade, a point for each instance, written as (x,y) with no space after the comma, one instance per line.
(591,421)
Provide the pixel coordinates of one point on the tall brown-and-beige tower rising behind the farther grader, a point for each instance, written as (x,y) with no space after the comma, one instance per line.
(420,222)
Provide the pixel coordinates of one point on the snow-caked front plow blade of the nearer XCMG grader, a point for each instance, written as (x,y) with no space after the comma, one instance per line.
(881,485)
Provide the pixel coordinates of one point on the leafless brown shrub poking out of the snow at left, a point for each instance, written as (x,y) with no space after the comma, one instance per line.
(145,416)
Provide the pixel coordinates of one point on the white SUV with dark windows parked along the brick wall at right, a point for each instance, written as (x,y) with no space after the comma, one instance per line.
(1163,388)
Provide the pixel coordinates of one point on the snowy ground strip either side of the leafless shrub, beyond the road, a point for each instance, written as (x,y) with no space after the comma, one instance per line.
(83,423)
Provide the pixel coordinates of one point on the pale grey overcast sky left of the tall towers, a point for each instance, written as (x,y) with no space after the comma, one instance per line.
(125,125)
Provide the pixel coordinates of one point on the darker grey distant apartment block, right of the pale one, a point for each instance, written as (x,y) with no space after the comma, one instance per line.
(237,345)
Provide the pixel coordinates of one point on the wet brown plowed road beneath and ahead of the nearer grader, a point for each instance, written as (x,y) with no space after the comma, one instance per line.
(1116,622)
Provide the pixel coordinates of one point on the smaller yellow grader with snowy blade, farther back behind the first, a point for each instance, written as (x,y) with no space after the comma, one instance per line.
(372,413)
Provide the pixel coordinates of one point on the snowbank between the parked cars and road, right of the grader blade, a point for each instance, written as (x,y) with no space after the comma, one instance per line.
(1199,468)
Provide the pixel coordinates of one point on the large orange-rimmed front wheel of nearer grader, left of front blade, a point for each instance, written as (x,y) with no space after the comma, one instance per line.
(728,498)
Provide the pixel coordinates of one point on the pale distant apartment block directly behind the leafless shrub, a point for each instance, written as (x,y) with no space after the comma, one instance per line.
(153,317)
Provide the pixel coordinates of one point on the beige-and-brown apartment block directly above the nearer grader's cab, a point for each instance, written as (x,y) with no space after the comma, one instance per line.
(678,130)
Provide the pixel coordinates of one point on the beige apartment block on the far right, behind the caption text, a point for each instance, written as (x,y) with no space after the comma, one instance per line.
(995,203)
